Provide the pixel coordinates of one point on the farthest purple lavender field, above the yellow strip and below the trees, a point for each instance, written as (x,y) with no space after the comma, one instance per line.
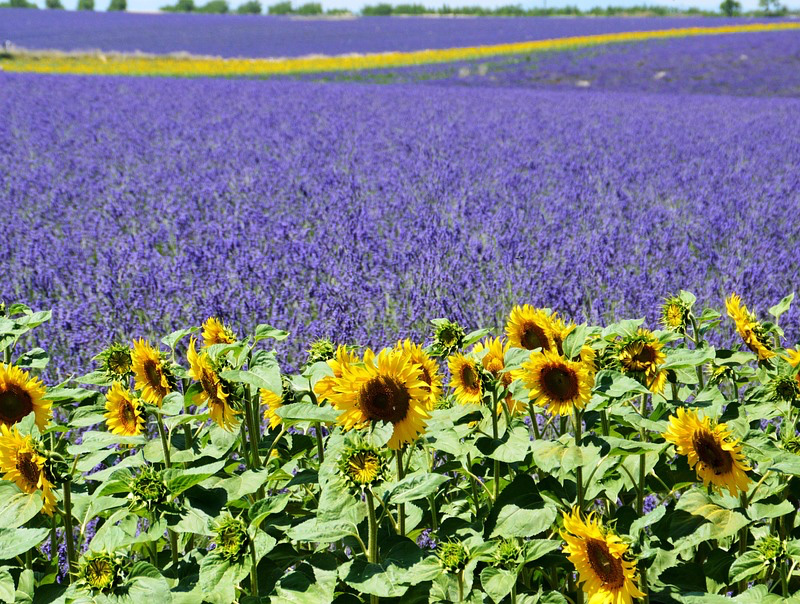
(262,36)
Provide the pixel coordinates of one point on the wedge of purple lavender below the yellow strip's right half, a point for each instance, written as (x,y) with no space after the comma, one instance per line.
(743,64)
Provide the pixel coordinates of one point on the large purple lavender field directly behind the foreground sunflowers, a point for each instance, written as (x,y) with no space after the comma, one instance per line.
(361,211)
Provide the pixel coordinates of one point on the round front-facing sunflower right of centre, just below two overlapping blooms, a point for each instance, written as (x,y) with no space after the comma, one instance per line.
(556,383)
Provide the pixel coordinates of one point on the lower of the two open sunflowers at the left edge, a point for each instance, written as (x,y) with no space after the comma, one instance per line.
(23,464)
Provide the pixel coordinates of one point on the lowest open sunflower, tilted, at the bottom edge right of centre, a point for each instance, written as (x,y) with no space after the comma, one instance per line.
(599,558)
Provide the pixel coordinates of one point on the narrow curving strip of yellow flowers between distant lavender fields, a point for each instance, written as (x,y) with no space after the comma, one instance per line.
(181,66)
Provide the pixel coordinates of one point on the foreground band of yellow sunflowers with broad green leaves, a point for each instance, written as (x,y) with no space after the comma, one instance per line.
(541,461)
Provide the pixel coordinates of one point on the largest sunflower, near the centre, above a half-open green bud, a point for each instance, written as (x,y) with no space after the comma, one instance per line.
(384,388)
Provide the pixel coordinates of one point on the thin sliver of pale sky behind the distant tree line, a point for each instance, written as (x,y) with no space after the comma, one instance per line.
(355,5)
